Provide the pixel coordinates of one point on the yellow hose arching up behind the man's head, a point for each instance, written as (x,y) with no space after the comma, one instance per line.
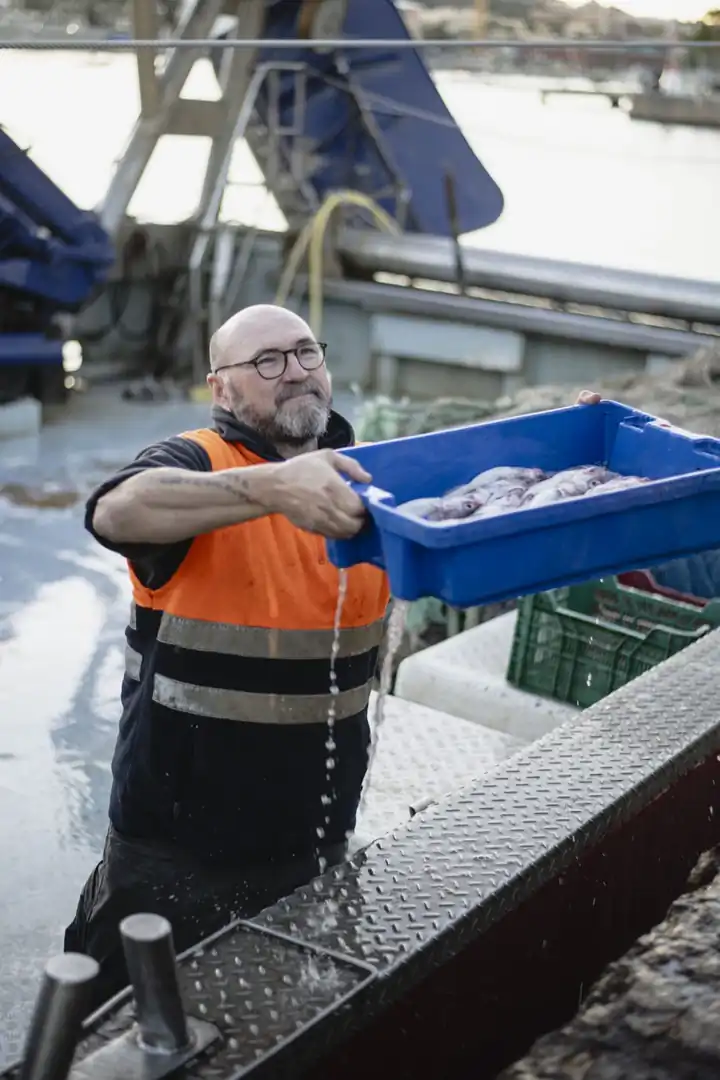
(313,238)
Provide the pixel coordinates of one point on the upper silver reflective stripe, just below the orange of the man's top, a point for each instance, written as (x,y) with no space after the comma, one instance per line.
(263,644)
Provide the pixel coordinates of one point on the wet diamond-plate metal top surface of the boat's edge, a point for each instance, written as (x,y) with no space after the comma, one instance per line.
(417,899)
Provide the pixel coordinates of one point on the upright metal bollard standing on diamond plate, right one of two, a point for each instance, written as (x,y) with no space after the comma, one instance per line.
(151,956)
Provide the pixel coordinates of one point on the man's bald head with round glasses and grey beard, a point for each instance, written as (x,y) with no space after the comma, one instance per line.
(268,371)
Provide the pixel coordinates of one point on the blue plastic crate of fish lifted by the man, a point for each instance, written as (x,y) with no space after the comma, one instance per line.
(469,563)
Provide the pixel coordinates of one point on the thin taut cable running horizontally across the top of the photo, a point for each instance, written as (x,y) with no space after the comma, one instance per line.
(304,45)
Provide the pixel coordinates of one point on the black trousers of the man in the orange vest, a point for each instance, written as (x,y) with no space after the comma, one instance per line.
(197,899)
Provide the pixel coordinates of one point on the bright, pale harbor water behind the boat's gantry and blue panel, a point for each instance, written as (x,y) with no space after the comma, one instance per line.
(582,182)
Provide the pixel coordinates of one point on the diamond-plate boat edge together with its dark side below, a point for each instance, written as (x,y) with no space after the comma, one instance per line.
(540,872)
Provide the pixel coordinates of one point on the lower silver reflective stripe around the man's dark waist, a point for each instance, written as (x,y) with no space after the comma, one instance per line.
(256,708)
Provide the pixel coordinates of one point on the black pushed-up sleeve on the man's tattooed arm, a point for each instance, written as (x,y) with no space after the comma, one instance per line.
(154,564)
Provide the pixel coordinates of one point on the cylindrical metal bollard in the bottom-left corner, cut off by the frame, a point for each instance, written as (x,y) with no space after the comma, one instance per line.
(62,1006)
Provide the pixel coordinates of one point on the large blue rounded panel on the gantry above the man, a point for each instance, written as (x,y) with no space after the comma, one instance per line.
(415,137)
